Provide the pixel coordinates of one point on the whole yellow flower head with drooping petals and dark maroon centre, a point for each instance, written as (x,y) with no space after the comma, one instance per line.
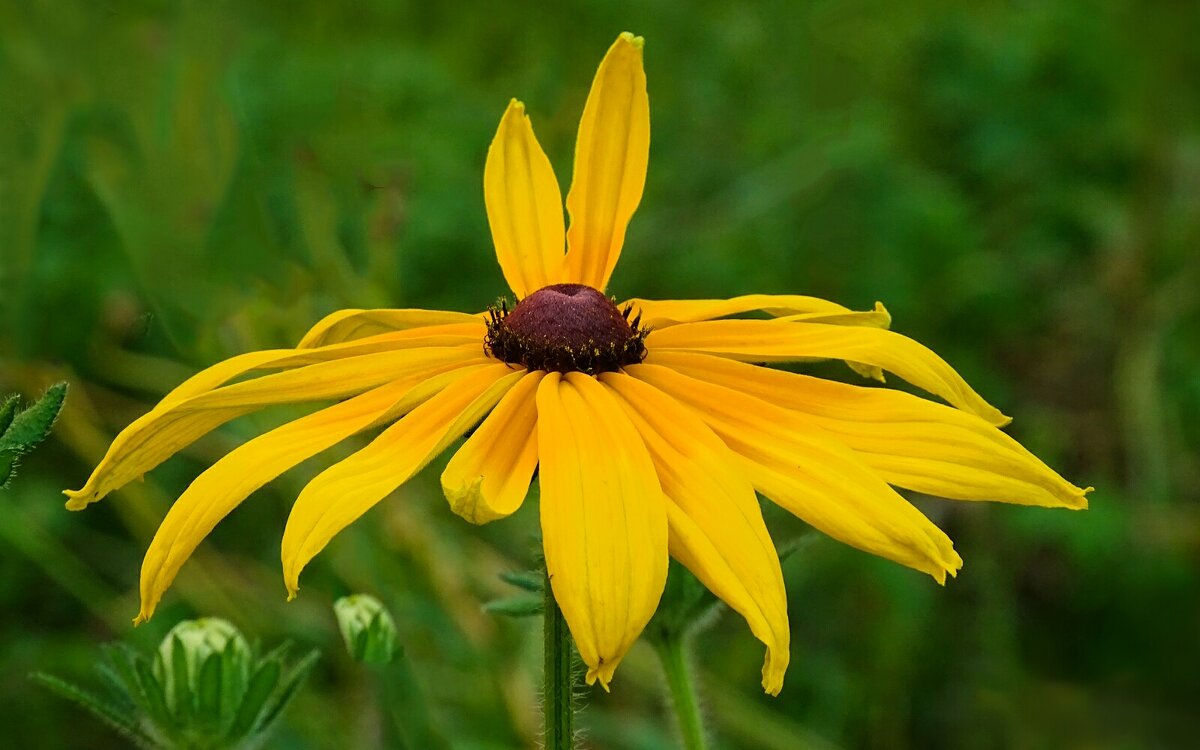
(651,423)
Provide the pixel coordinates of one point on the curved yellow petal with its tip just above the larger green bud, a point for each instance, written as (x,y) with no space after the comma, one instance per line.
(229,482)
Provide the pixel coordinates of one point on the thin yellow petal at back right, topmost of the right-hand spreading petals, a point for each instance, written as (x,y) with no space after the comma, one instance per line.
(664,314)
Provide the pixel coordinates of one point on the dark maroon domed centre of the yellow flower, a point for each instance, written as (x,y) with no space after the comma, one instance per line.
(567,328)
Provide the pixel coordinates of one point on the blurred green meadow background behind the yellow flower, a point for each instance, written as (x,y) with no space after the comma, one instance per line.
(1018,182)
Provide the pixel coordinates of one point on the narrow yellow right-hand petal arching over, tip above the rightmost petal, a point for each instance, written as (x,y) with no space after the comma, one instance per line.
(775,341)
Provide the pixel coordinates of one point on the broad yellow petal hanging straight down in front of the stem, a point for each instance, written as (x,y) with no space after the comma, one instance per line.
(603,519)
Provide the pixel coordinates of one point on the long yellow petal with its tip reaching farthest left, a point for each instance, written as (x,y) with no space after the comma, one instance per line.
(181,421)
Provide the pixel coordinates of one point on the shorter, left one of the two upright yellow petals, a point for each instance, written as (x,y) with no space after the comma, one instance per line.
(525,207)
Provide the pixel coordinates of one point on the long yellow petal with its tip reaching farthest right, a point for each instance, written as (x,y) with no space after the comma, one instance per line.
(910,442)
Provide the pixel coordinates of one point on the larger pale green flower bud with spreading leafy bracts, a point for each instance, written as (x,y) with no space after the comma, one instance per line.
(203,689)
